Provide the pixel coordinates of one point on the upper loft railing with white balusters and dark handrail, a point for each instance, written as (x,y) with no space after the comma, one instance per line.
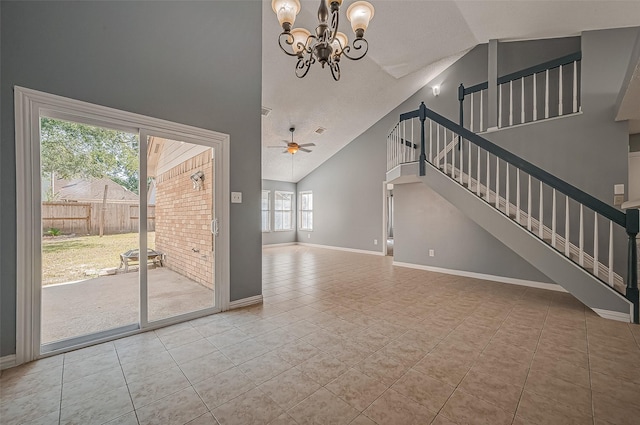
(547,90)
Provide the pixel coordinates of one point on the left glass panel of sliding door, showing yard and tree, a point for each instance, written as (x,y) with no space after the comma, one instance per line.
(89,207)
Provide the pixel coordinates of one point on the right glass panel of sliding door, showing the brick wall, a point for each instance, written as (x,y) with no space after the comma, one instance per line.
(181,255)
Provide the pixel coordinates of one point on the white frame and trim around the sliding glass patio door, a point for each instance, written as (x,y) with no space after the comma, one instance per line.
(29,106)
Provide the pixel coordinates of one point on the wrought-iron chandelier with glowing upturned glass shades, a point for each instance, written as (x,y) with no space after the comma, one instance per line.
(327,45)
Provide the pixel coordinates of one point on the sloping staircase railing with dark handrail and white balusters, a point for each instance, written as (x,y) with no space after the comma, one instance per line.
(578,225)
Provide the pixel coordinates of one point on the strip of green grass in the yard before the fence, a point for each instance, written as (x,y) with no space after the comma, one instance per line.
(67,259)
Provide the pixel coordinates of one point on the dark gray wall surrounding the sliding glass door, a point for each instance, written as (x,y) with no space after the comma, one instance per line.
(170,60)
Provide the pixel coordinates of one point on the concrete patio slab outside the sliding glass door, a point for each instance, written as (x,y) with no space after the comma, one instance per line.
(107,302)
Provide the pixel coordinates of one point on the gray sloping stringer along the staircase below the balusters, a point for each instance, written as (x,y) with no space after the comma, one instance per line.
(581,284)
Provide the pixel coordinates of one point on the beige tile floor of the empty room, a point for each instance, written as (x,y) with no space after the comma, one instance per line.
(347,338)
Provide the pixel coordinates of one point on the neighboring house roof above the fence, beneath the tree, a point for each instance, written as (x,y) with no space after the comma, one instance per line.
(92,190)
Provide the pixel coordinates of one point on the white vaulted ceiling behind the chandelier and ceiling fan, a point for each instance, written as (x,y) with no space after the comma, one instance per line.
(411,42)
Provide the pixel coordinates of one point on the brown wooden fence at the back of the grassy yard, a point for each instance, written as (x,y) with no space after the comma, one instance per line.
(84,217)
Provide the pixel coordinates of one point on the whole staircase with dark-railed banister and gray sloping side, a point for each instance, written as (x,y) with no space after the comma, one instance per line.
(564,232)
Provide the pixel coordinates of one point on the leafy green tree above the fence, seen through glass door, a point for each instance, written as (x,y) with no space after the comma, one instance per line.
(72,150)
